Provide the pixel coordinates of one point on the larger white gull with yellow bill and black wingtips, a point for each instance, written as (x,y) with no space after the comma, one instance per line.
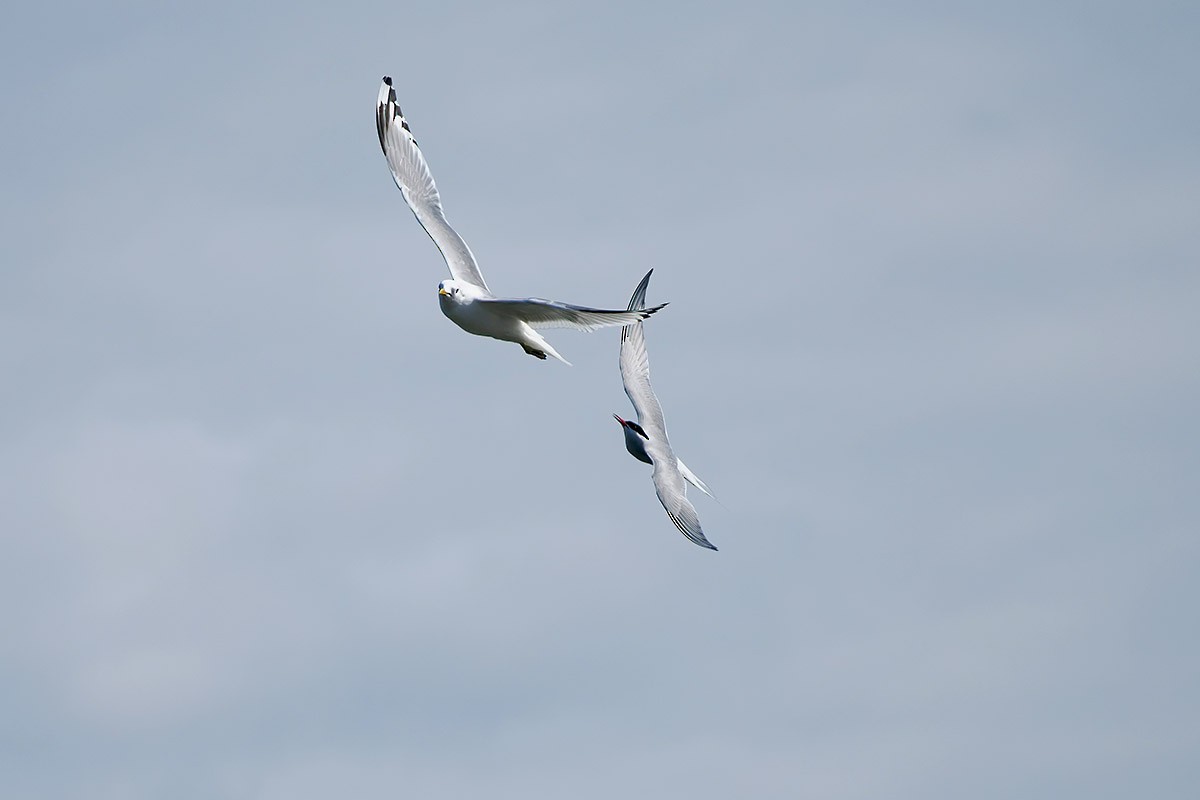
(466,298)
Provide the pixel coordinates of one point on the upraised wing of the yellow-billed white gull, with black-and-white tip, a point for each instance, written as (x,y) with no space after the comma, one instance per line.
(416,183)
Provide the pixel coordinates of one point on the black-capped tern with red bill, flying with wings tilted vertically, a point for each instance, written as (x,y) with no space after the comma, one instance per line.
(647,440)
